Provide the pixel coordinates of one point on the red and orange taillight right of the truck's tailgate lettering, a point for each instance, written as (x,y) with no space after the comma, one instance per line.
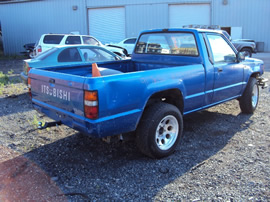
(91,104)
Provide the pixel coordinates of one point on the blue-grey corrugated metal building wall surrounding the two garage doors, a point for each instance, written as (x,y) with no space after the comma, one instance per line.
(25,22)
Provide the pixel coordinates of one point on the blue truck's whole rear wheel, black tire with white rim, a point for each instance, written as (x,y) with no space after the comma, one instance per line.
(159,130)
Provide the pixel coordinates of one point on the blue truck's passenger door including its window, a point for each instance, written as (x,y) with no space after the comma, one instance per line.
(228,73)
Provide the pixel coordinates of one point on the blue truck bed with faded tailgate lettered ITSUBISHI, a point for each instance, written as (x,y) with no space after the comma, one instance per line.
(59,92)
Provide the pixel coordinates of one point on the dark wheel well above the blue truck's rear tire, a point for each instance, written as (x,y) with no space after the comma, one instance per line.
(172,96)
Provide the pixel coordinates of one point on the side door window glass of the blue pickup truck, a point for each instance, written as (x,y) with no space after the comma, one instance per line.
(222,51)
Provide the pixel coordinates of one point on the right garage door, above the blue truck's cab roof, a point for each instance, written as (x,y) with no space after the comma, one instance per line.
(187,14)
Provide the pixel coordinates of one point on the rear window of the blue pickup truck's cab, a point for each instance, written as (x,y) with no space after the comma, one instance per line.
(167,44)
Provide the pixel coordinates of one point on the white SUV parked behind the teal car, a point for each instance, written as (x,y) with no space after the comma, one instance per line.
(48,41)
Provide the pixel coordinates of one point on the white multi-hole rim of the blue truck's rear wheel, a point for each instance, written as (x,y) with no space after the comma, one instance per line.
(167,132)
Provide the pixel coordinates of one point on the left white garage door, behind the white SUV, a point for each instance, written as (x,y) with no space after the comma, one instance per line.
(107,24)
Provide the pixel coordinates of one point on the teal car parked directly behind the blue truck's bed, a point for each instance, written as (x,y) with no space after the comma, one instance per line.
(68,56)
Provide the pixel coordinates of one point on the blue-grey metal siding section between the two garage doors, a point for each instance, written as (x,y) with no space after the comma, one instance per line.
(141,17)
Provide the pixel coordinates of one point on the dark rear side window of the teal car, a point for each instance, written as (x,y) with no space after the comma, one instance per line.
(69,55)
